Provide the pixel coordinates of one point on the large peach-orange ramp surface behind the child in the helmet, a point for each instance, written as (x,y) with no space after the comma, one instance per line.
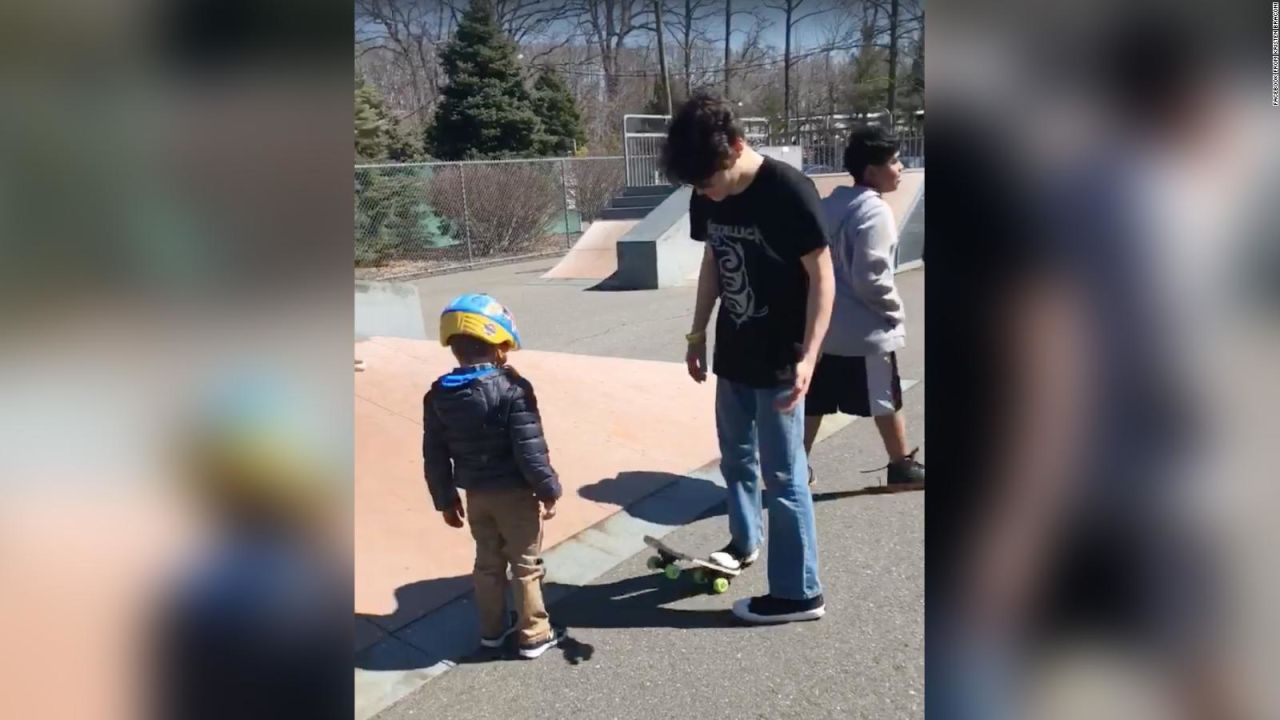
(604,417)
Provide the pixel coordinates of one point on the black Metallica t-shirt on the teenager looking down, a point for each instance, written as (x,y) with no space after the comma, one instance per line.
(758,238)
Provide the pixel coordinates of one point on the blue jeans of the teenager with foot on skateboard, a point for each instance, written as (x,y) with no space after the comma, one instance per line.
(748,422)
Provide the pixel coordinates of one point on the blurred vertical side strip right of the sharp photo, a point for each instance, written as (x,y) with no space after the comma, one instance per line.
(1103,359)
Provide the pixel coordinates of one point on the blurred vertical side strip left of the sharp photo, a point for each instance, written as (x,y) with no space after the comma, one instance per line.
(175,359)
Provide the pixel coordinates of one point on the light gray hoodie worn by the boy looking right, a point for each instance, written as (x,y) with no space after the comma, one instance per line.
(868,317)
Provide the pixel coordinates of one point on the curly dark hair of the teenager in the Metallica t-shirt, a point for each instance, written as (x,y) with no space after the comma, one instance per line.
(701,139)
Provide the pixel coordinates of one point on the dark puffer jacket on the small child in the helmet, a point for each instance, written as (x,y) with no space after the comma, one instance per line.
(484,434)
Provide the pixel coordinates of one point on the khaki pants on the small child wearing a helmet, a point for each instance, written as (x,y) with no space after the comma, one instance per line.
(508,527)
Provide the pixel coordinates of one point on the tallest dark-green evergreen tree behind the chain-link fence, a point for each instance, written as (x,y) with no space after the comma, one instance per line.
(486,111)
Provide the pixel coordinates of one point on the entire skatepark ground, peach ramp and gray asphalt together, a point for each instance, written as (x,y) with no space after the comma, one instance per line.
(597,582)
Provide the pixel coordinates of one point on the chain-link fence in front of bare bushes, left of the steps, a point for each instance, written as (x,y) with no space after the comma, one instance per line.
(423,218)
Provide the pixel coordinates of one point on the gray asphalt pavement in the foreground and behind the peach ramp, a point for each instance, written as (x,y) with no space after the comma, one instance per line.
(642,646)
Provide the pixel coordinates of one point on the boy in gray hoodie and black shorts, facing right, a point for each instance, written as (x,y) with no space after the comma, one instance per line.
(858,371)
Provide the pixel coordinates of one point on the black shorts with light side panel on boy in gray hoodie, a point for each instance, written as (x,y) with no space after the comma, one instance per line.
(865,386)
